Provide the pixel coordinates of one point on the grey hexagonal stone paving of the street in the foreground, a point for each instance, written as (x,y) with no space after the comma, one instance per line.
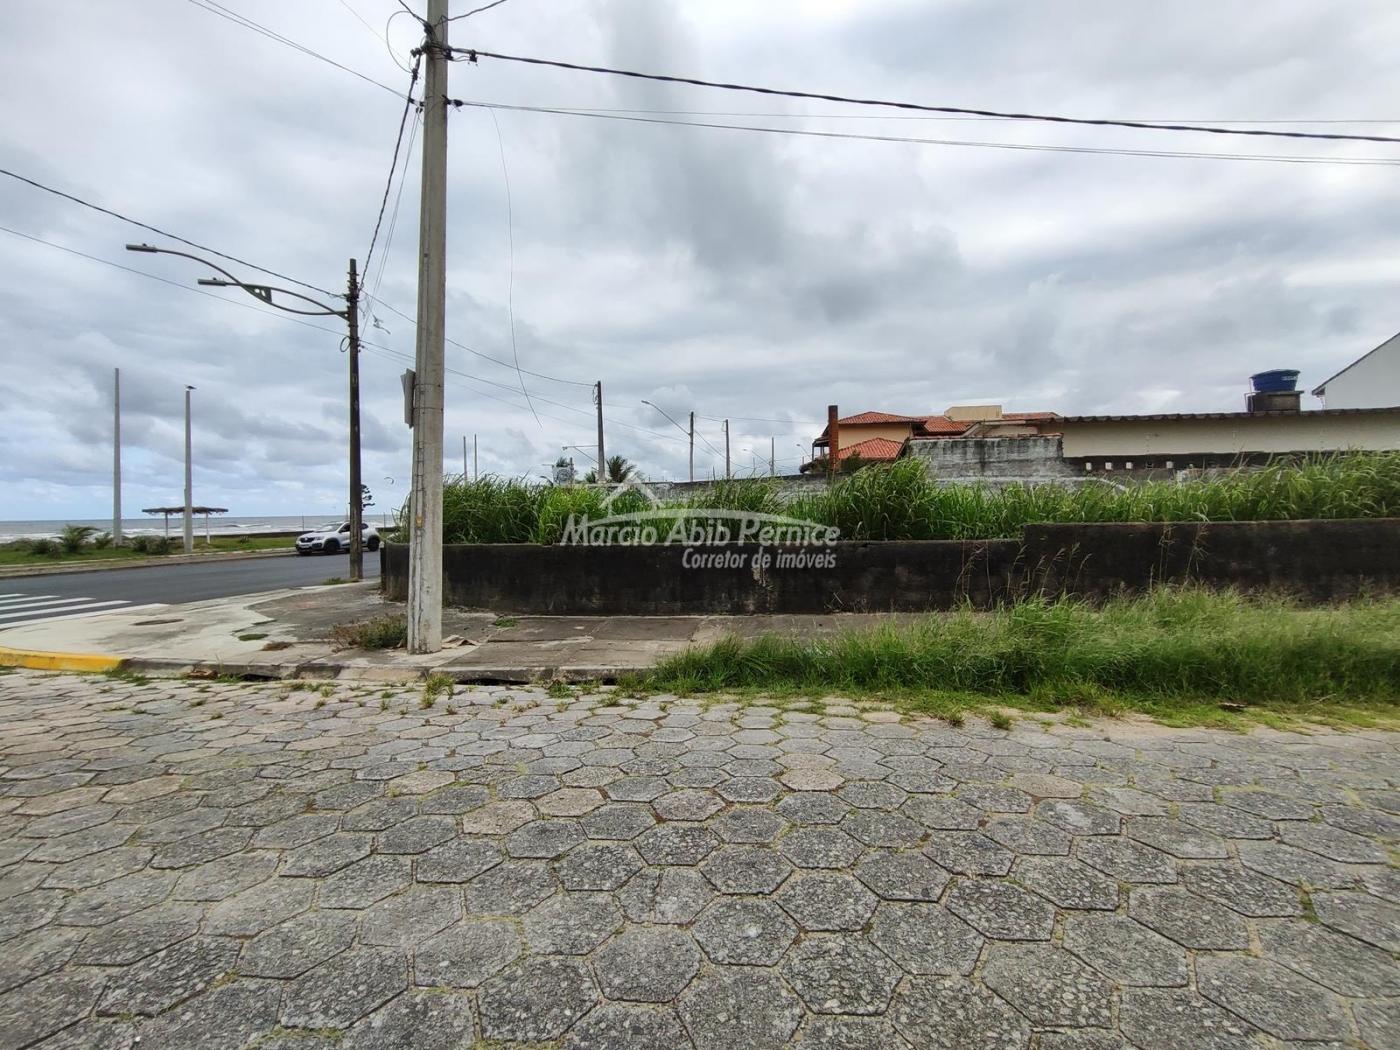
(264,866)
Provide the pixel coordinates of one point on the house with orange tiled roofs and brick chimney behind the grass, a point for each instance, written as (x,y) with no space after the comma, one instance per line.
(881,436)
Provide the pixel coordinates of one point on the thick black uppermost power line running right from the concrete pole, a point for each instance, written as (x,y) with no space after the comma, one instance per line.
(472,55)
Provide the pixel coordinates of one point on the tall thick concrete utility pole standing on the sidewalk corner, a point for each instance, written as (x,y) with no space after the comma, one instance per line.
(426,521)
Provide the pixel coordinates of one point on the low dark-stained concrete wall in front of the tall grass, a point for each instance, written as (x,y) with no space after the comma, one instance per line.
(1318,561)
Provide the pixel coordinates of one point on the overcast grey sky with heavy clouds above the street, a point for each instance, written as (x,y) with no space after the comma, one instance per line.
(730,274)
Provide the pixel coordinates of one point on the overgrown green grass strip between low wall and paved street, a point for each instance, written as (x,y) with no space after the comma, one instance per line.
(1182,656)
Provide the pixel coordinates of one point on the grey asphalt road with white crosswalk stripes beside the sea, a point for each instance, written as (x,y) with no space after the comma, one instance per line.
(169,584)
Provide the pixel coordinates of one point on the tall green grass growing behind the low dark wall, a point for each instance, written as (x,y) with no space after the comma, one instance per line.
(899,502)
